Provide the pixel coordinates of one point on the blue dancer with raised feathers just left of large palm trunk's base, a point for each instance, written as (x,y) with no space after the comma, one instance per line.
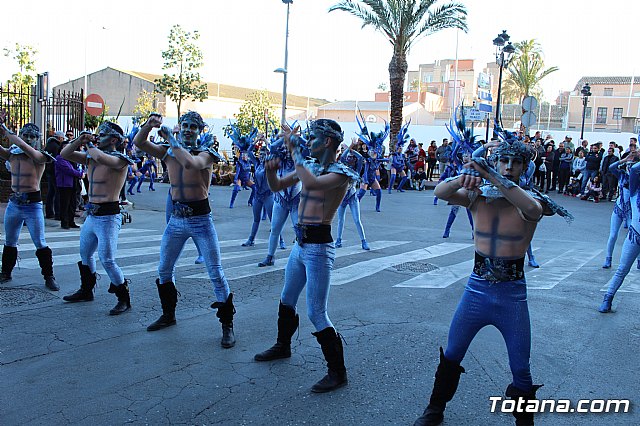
(372,163)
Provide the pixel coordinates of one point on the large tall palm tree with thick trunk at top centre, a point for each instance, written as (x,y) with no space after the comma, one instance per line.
(403,22)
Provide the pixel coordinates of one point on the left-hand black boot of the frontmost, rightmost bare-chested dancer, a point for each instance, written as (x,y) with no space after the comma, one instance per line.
(444,387)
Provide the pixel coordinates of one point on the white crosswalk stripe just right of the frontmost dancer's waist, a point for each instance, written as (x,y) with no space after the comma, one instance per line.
(559,268)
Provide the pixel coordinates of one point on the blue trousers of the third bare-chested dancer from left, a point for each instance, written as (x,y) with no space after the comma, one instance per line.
(201,229)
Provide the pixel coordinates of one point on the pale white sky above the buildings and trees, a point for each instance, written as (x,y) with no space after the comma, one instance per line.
(330,55)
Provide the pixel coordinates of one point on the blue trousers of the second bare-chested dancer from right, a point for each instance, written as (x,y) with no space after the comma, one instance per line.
(310,265)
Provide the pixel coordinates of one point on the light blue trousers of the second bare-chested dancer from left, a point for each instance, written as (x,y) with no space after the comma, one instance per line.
(101,233)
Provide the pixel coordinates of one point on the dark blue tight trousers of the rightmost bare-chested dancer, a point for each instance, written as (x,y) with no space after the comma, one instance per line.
(503,305)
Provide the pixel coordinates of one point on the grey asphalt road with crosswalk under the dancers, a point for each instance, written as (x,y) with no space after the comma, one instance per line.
(74,364)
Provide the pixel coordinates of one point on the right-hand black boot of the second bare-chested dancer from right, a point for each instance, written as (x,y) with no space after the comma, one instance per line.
(331,345)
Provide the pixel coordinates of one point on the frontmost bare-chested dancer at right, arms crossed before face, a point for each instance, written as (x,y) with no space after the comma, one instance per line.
(505,216)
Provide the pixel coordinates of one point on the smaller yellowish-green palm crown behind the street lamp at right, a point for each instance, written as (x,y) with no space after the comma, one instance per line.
(525,72)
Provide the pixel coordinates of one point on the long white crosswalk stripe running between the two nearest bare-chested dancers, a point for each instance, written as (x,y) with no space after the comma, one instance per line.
(367,268)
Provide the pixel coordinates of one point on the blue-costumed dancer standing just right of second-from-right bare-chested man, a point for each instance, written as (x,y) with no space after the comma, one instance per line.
(354,160)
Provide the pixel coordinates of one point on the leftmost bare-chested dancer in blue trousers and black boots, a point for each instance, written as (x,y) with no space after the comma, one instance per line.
(26,165)
